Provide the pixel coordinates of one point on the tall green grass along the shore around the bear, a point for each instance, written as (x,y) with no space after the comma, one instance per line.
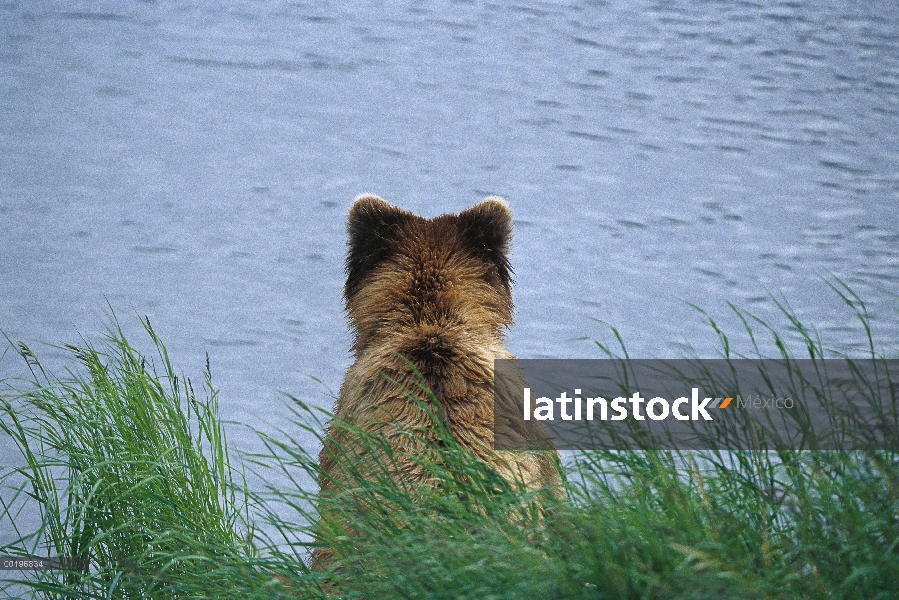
(131,470)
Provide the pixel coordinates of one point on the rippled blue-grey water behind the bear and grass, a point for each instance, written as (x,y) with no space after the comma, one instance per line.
(195,164)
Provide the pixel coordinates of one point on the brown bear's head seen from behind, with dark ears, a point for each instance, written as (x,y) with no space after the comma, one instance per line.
(428,289)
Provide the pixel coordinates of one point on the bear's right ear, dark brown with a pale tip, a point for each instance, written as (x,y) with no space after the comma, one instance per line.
(486,228)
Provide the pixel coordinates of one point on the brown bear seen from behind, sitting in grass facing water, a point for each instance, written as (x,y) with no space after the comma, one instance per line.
(428,301)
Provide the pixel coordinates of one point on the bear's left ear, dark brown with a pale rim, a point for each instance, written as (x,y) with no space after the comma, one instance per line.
(372,227)
